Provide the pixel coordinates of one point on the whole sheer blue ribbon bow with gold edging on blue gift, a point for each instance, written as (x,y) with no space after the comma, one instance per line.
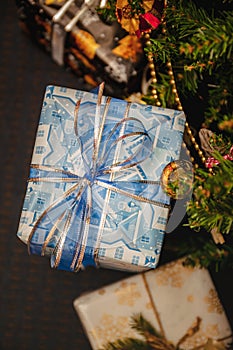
(65,227)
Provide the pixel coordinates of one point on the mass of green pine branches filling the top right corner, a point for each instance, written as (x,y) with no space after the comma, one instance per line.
(199,44)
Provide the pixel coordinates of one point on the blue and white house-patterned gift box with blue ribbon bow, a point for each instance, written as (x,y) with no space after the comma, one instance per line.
(94,195)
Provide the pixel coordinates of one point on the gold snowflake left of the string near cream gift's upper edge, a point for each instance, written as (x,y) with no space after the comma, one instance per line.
(127,293)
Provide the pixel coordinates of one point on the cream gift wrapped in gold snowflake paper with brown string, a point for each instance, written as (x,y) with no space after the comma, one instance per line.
(171,297)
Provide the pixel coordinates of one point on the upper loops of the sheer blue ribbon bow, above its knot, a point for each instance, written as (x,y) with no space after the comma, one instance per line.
(110,141)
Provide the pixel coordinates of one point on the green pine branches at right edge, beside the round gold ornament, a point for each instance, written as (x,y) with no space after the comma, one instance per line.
(211,210)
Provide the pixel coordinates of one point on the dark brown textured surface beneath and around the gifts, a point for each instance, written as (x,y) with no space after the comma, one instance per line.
(36,302)
